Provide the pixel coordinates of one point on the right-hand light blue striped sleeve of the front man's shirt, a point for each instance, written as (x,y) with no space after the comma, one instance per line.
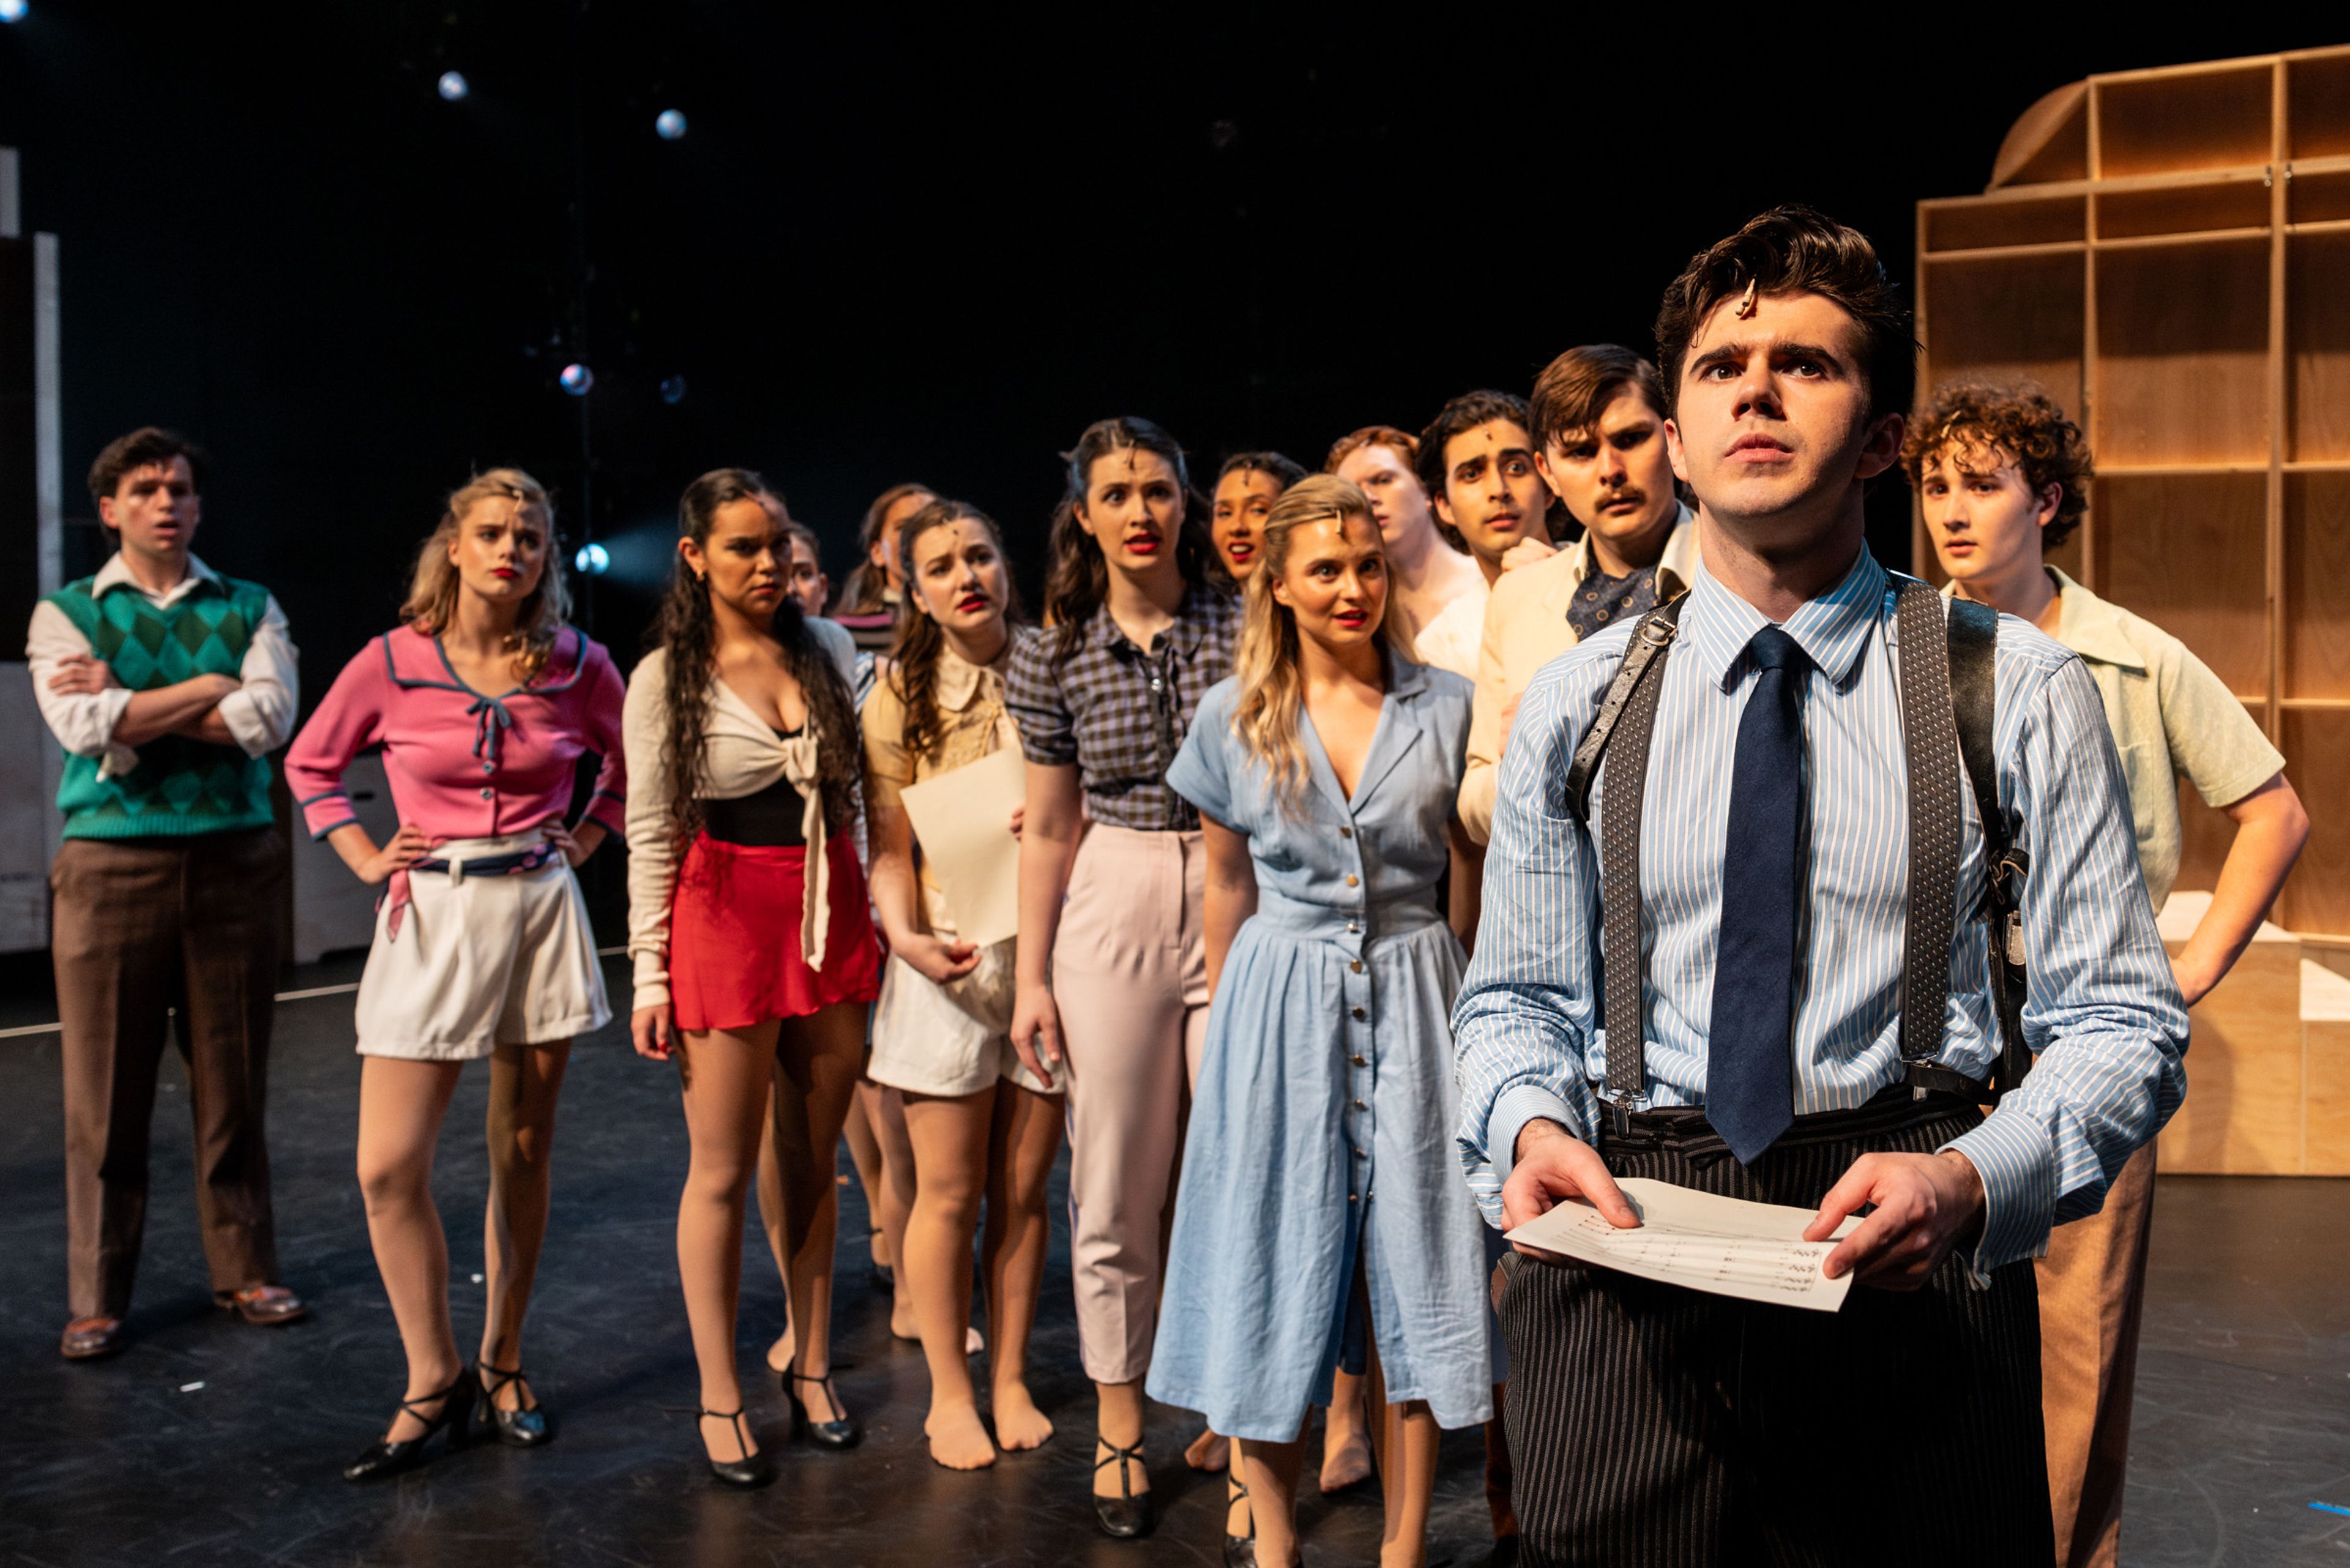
(2102,1017)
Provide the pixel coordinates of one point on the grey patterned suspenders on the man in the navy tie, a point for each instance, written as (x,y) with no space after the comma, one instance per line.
(1947,716)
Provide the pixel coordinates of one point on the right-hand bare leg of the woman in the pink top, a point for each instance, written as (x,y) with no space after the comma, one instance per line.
(523,1090)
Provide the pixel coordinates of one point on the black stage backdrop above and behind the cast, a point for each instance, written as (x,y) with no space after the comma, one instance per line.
(899,246)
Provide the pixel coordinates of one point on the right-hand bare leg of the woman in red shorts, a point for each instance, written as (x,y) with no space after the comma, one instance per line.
(817,1073)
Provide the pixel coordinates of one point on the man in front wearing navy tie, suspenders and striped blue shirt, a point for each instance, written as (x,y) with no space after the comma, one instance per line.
(1775,1012)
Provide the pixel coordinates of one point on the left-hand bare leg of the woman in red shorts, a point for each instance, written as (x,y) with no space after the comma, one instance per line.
(727,1094)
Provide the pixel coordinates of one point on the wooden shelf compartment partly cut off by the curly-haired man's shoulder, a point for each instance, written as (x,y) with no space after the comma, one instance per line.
(2191,556)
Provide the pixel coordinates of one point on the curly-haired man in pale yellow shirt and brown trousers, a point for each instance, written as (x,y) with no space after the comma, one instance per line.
(2003,476)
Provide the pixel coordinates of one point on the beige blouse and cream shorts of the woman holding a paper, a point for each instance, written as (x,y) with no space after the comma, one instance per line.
(944,1040)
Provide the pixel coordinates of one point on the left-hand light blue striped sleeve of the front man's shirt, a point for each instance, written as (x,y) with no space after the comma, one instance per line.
(1524,1021)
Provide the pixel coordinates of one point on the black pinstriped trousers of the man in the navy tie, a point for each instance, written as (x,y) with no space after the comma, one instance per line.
(1665,1428)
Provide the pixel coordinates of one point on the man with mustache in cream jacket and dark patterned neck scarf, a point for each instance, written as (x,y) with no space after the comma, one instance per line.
(1599,420)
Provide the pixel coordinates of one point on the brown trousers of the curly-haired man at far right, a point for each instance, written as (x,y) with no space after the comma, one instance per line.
(2093,1289)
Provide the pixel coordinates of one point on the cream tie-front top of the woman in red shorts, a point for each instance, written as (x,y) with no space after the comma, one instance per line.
(744,758)
